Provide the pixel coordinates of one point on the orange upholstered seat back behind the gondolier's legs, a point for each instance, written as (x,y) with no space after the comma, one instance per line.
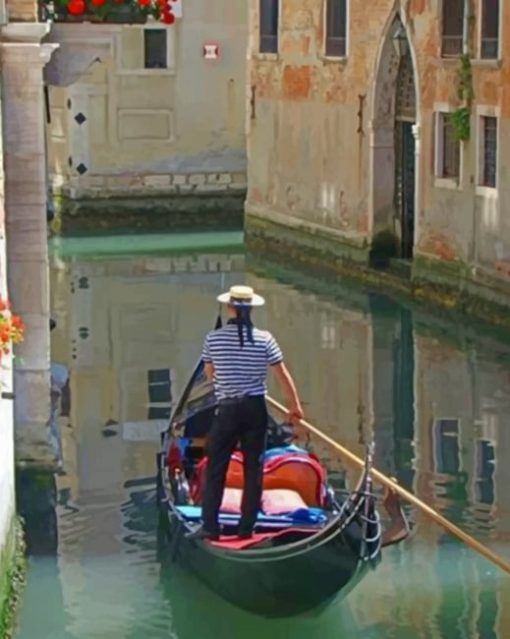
(292,475)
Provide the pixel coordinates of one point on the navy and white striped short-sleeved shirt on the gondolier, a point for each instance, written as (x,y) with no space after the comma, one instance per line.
(240,371)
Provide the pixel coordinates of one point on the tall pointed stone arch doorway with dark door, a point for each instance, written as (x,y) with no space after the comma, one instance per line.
(394,139)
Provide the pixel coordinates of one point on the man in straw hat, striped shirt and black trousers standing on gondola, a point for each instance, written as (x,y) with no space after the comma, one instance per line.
(237,358)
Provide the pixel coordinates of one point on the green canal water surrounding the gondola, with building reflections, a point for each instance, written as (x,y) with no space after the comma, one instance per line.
(433,393)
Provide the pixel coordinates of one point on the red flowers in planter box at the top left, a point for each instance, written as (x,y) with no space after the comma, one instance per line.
(103,9)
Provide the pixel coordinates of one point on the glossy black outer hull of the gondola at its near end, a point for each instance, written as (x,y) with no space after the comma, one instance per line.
(273,583)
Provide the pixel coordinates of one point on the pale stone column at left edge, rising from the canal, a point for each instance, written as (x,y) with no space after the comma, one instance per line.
(22,61)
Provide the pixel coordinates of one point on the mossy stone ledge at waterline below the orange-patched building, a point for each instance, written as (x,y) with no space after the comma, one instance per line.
(449,286)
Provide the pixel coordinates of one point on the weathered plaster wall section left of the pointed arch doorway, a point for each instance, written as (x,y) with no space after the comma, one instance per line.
(306,157)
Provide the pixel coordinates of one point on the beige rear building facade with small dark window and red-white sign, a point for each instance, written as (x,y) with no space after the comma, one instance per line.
(150,109)
